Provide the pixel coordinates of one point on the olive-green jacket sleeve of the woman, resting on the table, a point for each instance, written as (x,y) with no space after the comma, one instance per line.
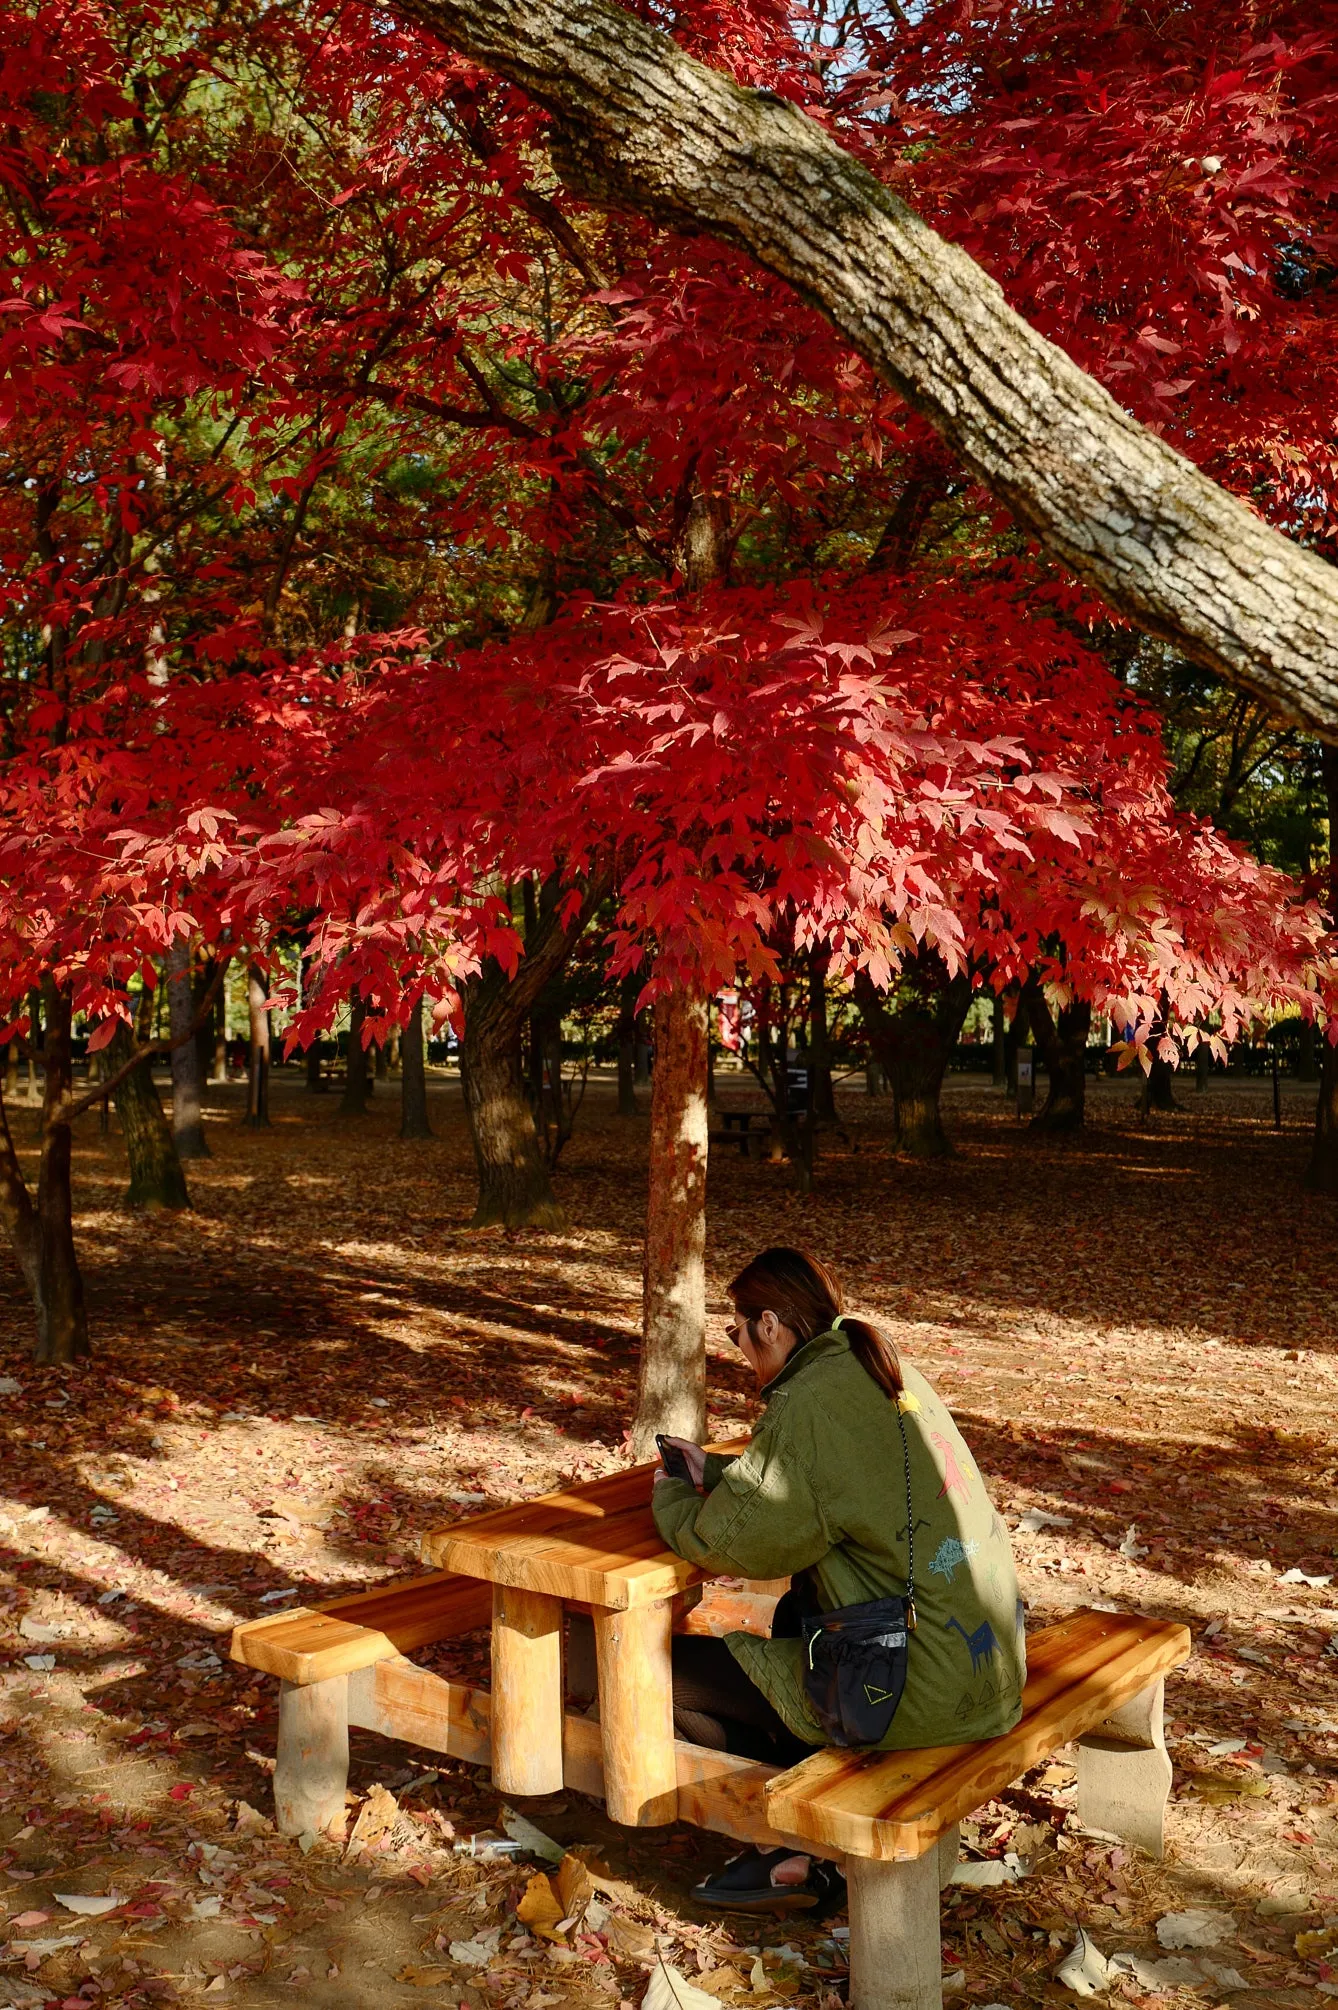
(762,1521)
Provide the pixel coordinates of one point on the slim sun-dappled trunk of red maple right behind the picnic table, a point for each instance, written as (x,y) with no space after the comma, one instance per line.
(672,1382)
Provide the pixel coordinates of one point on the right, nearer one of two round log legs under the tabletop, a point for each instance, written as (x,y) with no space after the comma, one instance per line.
(636,1714)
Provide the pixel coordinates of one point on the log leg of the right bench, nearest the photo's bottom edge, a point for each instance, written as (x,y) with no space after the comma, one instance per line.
(895,1947)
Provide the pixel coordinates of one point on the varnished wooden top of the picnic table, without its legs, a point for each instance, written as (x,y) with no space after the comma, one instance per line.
(596,1545)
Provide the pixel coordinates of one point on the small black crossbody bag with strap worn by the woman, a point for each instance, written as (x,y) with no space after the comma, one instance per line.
(855,1659)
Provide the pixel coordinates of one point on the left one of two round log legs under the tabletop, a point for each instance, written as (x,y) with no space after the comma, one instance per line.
(527,1691)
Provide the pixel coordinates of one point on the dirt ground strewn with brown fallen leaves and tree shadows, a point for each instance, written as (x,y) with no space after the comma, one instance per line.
(320,1362)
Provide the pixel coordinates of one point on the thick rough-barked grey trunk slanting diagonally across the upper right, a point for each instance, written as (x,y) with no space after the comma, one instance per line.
(642,126)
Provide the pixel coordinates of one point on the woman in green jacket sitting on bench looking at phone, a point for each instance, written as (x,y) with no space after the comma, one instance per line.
(903,1625)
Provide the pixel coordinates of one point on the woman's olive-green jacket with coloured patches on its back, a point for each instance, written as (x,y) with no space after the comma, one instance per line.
(823,1488)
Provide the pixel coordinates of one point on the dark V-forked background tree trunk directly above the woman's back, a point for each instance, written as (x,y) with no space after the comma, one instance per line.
(915,1044)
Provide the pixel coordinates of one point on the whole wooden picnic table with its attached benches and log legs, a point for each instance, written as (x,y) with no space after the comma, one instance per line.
(891,1818)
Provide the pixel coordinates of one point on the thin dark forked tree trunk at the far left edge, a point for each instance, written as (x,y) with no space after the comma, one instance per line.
(43,1231)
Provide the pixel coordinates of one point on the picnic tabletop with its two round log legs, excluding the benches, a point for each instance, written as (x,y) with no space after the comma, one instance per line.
(594,1549)
